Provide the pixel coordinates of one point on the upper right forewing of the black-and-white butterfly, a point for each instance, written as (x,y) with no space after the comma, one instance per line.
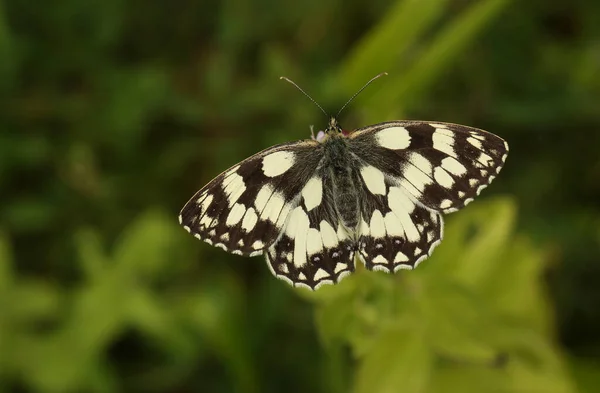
(443,166)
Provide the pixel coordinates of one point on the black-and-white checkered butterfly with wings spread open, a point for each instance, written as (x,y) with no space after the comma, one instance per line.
(378,192)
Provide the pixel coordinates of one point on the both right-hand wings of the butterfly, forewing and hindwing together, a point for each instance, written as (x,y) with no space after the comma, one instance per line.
(411,173)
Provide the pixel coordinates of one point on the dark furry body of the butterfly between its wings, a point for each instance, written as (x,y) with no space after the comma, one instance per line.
(340,167)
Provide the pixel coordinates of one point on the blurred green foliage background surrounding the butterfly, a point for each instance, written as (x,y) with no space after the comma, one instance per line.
(114,112)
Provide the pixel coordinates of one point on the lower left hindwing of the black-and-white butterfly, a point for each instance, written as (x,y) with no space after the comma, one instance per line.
(314,248)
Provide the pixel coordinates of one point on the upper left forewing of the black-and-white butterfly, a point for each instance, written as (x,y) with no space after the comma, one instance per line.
(245,208)
